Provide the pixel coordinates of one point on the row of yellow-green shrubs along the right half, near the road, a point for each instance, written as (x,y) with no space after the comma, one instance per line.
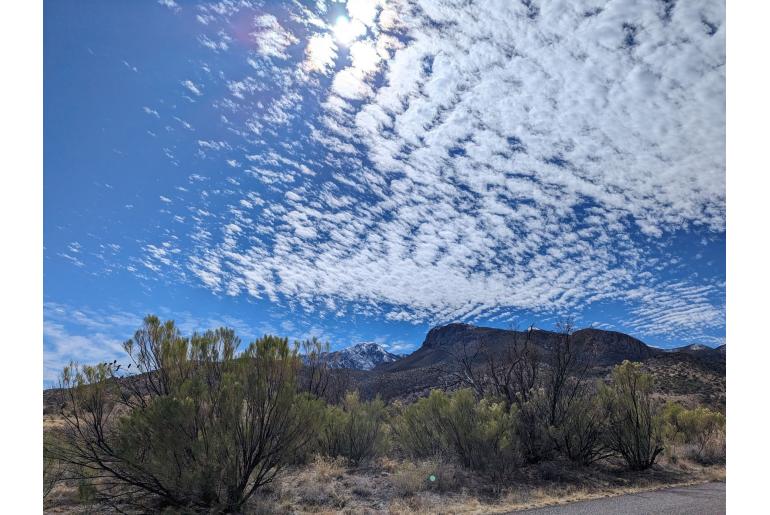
(622,419)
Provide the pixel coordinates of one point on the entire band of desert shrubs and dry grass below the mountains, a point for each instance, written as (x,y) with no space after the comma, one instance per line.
(201,426)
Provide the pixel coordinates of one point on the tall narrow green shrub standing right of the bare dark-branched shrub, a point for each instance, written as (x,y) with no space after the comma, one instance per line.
(634,426)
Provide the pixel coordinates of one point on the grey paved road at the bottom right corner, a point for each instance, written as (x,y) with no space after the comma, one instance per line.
(708,499)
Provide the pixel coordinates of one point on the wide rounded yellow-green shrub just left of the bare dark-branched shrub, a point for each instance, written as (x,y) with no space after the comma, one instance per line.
(480,435)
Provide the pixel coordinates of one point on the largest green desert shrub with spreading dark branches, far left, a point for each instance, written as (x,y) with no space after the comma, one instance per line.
(198,428)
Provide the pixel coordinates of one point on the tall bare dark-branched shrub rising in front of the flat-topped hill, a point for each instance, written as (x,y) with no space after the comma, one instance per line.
(551,389)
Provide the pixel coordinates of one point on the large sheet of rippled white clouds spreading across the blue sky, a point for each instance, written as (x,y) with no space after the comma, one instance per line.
(430,161)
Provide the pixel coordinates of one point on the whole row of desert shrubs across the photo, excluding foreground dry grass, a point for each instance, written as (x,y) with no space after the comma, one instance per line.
(201,427)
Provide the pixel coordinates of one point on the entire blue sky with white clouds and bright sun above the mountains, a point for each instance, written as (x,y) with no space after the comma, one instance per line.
(368,169)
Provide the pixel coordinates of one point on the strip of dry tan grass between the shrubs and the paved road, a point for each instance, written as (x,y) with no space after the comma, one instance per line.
(389,486)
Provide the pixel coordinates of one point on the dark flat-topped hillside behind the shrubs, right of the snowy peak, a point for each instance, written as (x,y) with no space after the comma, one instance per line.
(692,373)
